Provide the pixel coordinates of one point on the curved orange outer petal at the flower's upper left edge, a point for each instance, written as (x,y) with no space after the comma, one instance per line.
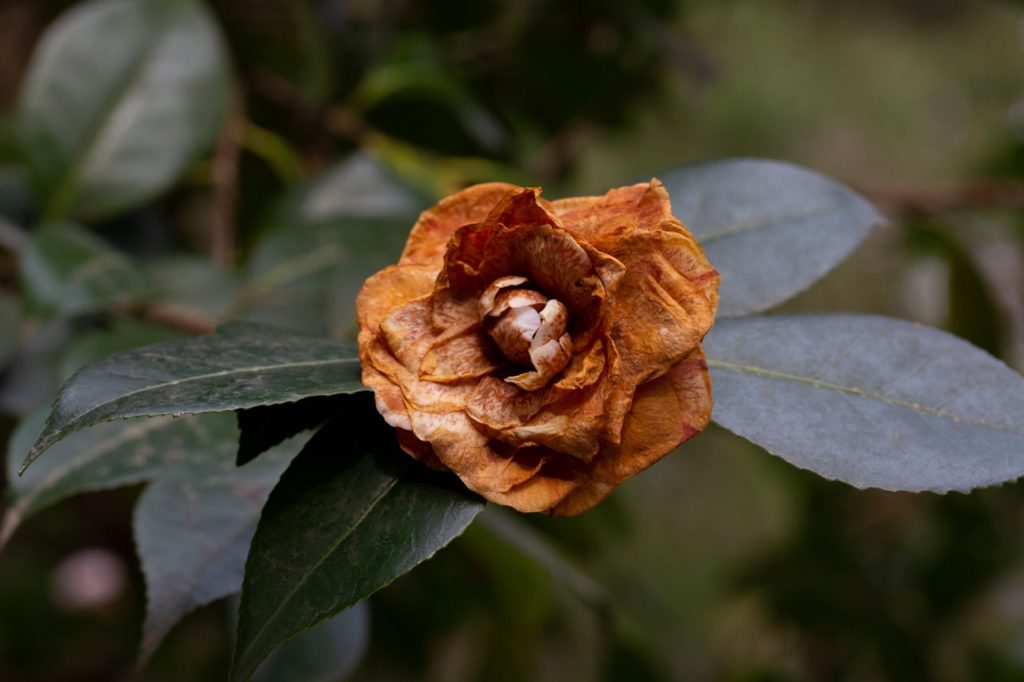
(431,235)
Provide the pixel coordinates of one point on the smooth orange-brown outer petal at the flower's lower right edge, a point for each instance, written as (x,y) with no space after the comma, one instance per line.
(666,412)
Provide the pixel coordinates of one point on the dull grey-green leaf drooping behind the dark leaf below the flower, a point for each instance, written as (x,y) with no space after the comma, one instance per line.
(193,529)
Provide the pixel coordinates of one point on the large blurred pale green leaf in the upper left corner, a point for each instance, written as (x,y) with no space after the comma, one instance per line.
(119,98)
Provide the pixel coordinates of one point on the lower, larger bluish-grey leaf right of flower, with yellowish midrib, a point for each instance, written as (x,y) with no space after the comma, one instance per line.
(872,402)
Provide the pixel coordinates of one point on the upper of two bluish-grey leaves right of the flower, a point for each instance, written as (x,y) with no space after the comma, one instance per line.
(772,229)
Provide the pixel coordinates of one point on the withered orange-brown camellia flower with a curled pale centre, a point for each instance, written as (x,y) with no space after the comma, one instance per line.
(543,352)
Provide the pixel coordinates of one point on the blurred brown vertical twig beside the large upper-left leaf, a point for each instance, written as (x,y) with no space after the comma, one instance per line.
(226,183)
